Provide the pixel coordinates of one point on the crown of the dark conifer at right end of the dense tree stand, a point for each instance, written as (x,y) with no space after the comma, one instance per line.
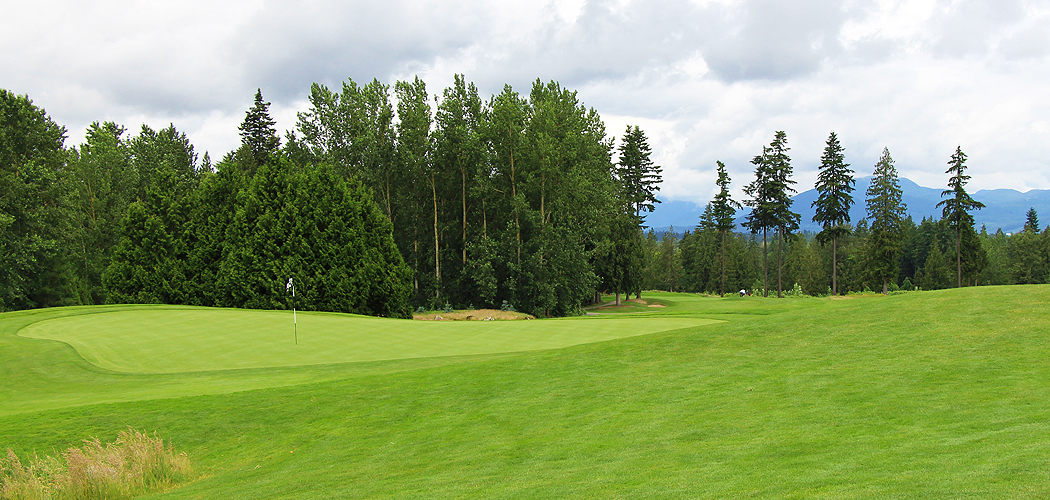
(640,179)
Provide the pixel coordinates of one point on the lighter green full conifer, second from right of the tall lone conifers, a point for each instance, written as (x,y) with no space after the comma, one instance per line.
(887,212)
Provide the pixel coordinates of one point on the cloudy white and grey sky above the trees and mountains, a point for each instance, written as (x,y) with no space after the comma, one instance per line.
(707,80)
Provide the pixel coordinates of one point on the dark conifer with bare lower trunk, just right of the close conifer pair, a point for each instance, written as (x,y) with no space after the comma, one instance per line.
(835,183)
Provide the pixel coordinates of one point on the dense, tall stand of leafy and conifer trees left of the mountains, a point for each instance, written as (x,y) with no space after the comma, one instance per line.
(377,203)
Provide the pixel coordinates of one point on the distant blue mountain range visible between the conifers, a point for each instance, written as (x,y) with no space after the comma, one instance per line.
(1004,209)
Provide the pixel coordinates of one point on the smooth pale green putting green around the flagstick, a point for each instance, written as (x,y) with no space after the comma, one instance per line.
(176,340)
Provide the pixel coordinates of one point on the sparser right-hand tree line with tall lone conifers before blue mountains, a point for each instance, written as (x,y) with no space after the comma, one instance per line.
(886,252)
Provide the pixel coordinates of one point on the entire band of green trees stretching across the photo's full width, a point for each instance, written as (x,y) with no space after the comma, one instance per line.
(385,200)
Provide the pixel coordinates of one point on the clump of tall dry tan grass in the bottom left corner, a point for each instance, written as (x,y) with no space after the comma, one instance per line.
(135,465)
